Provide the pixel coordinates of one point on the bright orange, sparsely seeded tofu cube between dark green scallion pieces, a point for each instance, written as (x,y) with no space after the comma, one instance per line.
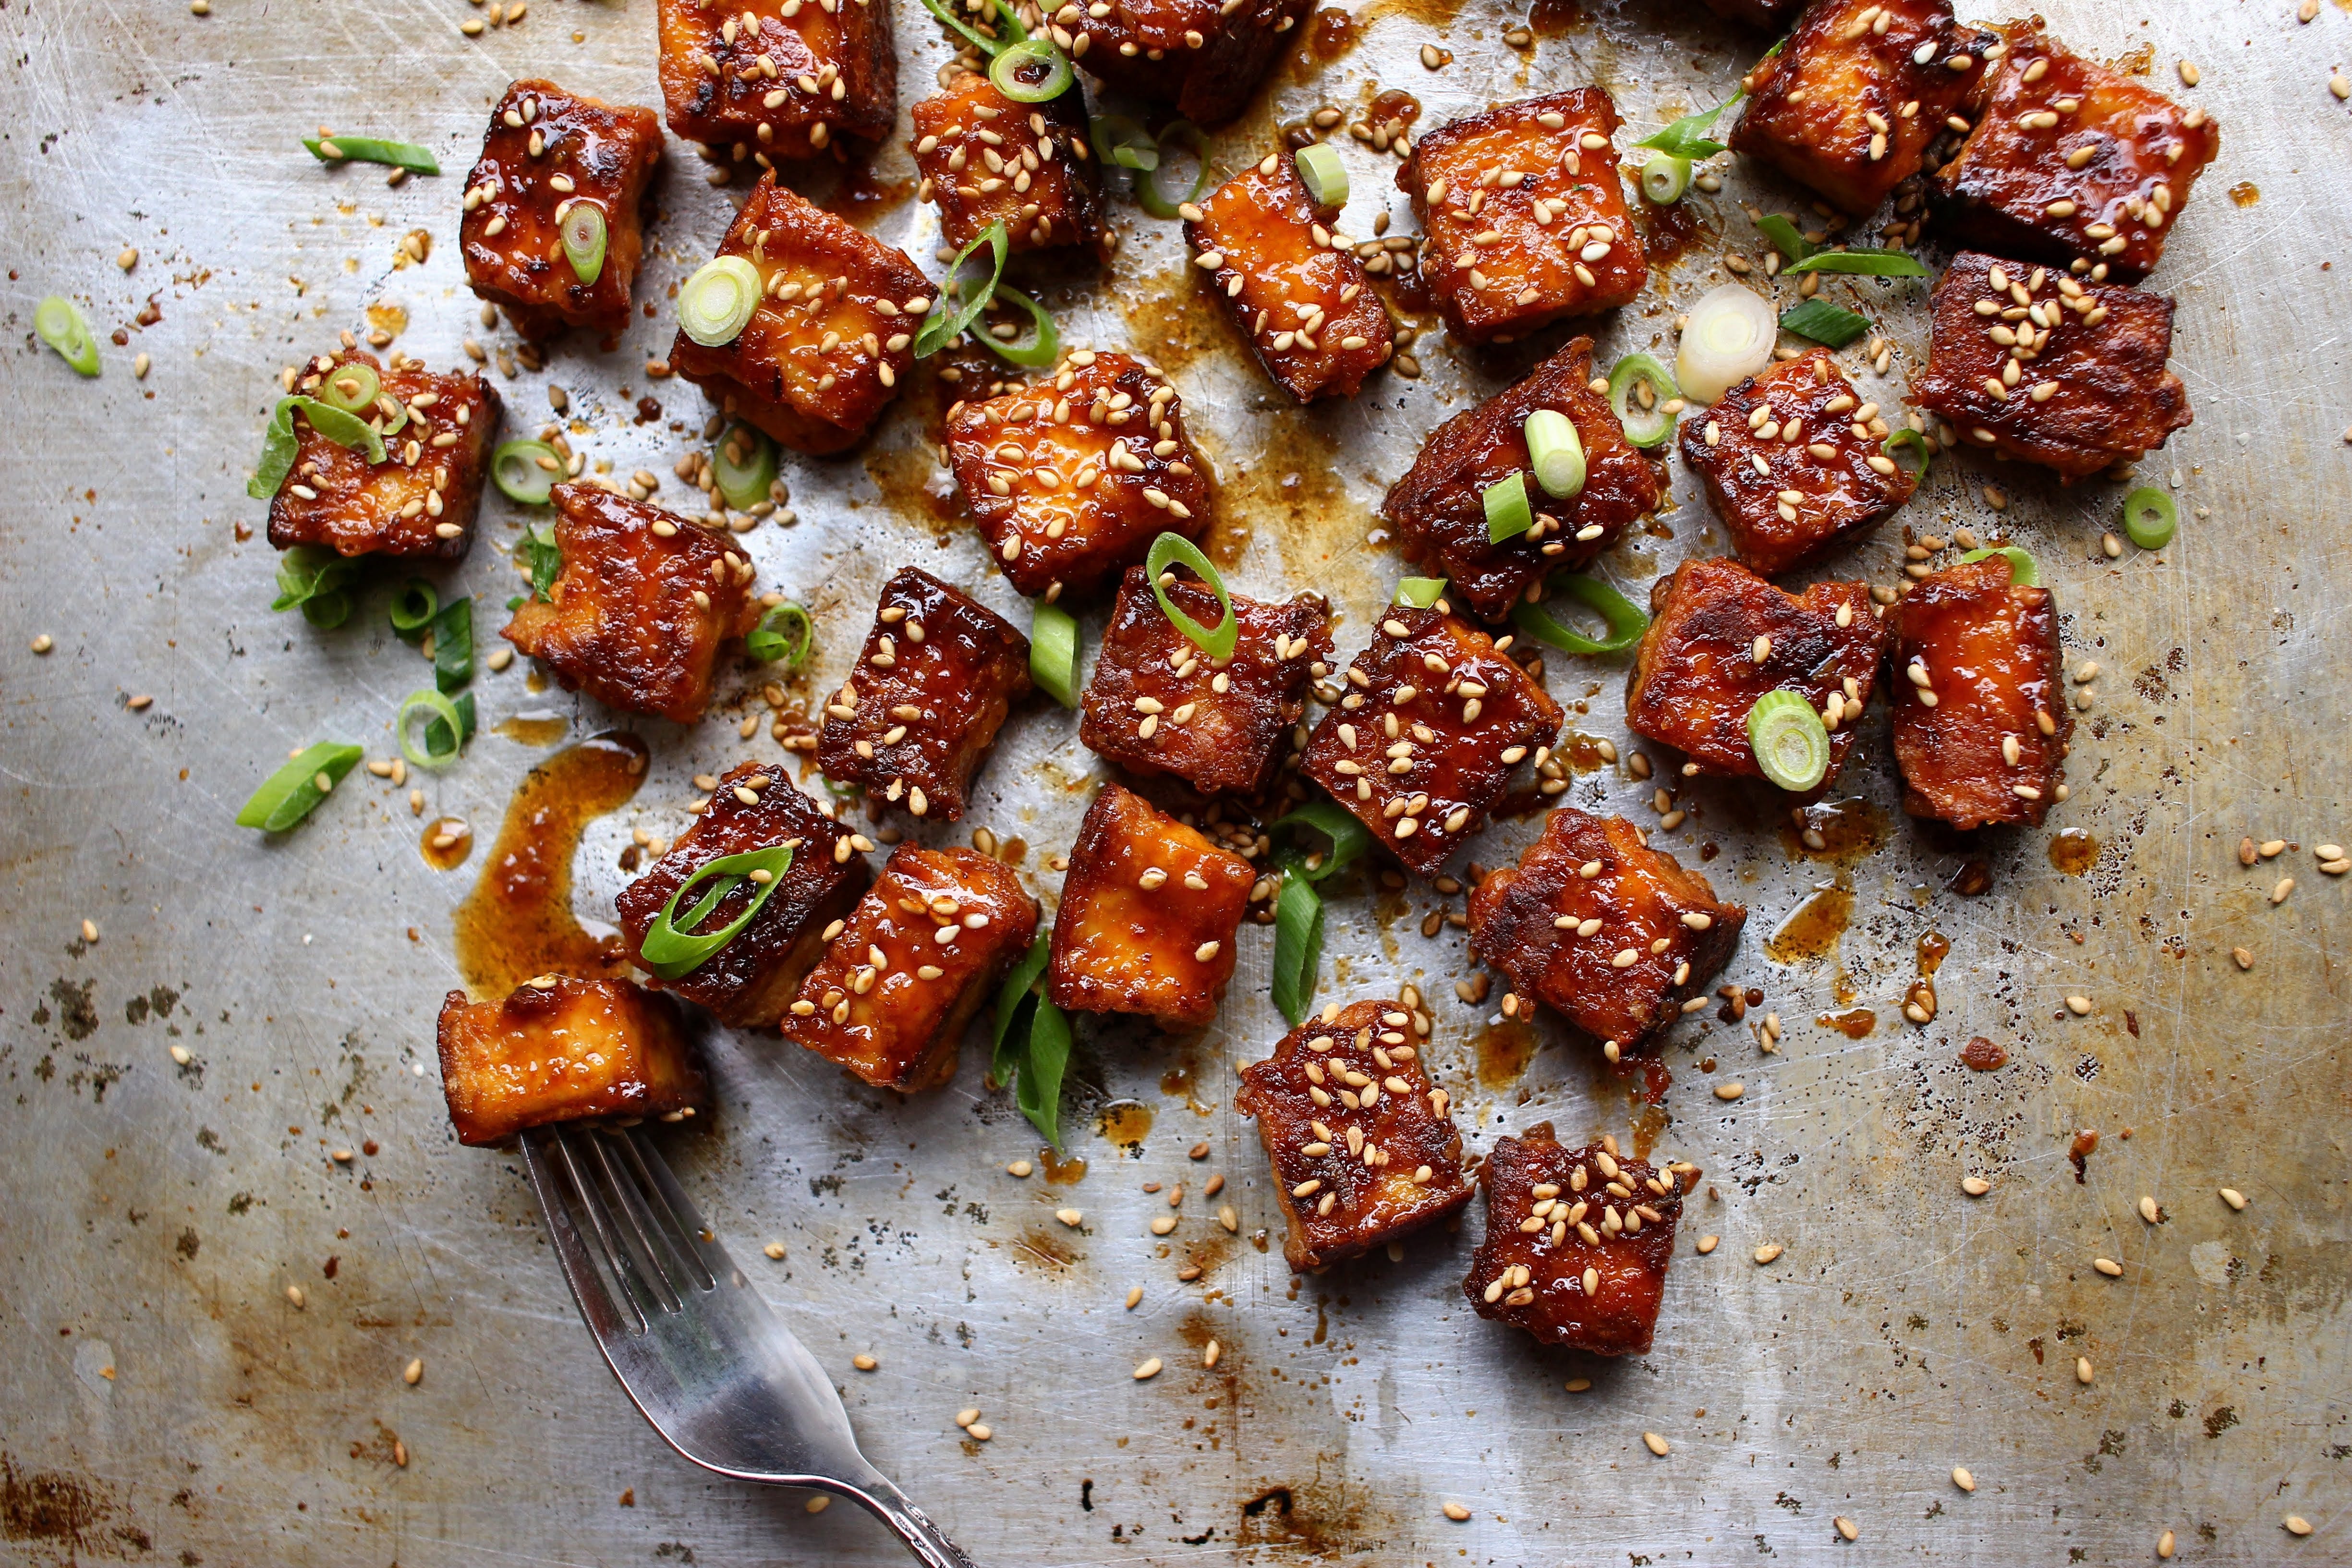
(1147,916)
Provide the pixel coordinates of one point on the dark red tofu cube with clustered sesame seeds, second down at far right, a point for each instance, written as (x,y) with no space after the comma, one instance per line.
(2052,370)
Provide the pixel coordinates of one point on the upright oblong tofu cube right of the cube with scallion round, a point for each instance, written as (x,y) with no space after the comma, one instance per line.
(1982,718)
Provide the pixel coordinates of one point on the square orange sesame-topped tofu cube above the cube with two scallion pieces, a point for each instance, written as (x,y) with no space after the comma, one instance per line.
(1525,217)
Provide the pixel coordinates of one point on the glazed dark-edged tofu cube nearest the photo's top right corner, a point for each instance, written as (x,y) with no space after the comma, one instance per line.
(2073,163)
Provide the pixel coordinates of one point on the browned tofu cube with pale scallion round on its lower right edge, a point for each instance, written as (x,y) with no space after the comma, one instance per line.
(1720,638)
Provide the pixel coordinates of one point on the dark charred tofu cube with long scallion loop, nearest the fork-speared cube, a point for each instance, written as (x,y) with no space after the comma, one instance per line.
(749,981)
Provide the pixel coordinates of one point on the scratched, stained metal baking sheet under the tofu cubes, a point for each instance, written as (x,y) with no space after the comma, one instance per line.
(161,1400)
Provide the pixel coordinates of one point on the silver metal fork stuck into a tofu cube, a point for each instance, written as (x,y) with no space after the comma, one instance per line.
(697,1351)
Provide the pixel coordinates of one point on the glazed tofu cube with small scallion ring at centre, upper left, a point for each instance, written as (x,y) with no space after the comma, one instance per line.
(544,154)
